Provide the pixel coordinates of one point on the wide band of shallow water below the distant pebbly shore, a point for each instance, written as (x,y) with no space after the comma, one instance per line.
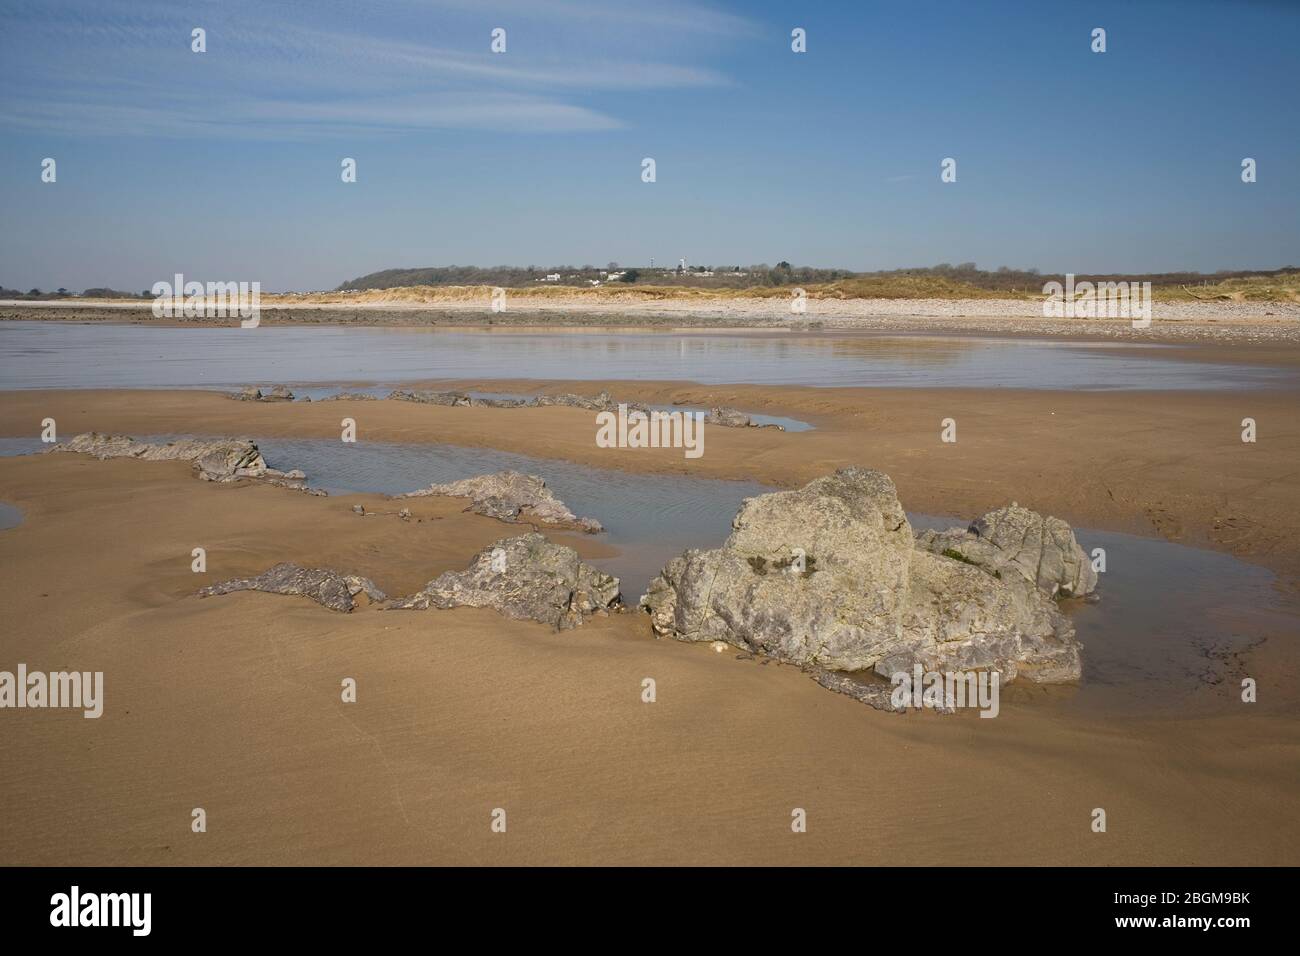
(62,354)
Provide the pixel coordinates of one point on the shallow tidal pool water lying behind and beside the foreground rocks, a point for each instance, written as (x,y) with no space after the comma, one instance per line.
(1168,624)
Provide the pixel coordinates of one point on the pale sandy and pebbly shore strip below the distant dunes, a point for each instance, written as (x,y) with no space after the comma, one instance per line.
(1206,323)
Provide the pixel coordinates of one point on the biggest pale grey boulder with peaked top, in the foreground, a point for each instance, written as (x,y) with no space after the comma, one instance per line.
(829,577)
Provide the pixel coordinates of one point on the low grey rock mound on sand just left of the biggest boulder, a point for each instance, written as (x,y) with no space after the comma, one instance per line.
(525,578)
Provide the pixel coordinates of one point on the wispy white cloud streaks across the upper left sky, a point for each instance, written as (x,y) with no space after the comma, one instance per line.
(301,70)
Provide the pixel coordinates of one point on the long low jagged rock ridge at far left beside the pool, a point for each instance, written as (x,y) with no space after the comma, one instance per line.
(215,460)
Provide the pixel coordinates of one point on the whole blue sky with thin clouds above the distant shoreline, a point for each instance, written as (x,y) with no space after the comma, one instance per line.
(226,166)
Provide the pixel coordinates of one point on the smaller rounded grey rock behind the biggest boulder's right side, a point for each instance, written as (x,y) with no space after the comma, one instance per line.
(1015,543)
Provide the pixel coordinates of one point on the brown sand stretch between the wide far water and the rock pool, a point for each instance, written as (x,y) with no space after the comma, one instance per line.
(1162,464)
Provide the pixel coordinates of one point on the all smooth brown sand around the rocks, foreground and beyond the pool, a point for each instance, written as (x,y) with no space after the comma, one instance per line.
(233,703)
